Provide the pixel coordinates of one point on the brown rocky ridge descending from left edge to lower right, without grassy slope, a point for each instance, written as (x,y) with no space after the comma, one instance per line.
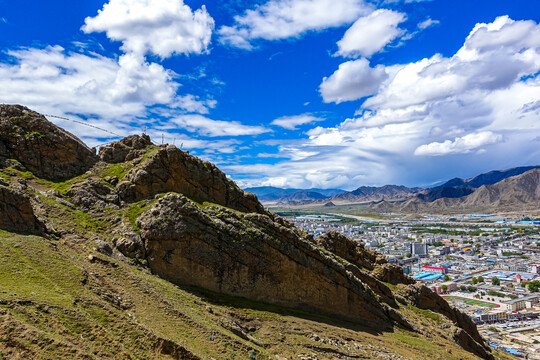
(181,218)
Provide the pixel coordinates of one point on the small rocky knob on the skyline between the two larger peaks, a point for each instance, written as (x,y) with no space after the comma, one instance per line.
(126,149)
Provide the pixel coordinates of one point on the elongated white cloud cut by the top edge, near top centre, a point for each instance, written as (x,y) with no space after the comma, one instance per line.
(281,19)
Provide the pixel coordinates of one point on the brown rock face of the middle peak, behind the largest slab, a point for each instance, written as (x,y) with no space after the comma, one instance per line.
(171,169)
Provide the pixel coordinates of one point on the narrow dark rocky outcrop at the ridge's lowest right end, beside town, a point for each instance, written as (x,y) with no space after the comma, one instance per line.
(467,335)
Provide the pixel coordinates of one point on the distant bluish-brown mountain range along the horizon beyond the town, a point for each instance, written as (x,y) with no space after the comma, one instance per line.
(506,190)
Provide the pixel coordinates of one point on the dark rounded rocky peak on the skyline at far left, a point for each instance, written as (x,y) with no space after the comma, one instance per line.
(41,147)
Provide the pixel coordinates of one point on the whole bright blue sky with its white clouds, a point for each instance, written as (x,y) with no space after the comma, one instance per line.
(290,93)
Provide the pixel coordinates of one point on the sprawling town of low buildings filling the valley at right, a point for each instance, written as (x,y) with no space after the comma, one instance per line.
(486,265)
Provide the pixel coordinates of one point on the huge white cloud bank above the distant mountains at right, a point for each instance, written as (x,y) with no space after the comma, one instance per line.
(460,115)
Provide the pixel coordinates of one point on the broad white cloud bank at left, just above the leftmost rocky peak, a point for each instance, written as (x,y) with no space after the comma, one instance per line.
(113,94)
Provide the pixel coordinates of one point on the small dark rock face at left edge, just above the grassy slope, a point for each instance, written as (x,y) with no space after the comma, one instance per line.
(16,213)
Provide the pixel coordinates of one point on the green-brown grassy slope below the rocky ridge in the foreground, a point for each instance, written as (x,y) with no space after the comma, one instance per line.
(57,304)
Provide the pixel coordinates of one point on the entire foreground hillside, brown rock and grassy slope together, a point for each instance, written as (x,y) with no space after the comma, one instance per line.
(146,251)
